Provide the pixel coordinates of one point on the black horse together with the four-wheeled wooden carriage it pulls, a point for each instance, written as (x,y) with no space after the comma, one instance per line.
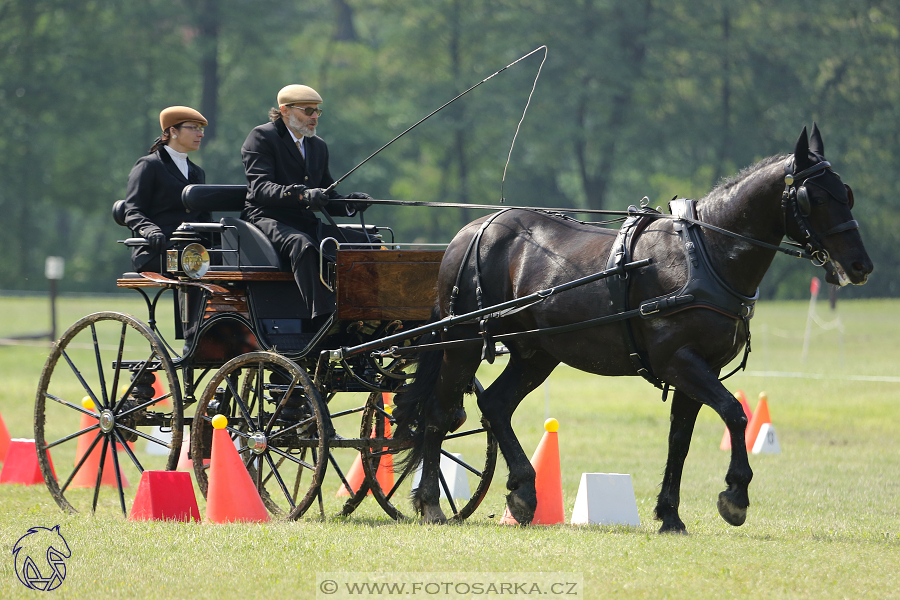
(668,297)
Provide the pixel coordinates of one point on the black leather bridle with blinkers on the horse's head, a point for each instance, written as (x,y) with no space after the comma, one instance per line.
(795,201)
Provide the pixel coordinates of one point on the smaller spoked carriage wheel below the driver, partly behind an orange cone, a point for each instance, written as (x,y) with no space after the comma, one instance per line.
(279,424)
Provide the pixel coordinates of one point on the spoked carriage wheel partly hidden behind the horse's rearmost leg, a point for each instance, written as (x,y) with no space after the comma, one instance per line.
(470,454)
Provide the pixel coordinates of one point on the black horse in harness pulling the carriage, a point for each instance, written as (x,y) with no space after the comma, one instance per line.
(679,343)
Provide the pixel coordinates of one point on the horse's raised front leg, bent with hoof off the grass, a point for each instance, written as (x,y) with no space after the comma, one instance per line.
(691,375)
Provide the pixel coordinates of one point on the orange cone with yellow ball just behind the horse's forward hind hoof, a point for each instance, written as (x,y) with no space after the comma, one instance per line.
(547,481)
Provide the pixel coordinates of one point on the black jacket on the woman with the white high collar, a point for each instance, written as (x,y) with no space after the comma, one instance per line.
(154,198)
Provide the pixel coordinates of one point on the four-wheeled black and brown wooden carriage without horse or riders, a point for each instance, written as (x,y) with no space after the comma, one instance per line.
(247,355)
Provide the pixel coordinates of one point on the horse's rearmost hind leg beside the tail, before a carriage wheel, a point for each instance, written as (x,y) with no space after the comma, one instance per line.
(457,370)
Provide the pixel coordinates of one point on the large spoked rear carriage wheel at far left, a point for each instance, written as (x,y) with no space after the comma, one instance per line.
(115,385)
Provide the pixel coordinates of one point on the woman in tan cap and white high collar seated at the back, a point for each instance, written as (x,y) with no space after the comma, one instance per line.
(153,207)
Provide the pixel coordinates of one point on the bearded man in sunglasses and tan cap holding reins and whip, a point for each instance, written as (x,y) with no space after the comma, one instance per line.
(286,165)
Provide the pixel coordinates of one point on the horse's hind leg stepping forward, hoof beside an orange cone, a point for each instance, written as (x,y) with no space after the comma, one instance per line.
(497,404)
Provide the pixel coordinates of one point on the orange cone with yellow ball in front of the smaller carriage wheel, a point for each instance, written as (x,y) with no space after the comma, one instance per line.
(231,495)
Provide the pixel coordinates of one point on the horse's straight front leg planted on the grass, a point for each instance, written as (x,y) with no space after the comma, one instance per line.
(683,417)
